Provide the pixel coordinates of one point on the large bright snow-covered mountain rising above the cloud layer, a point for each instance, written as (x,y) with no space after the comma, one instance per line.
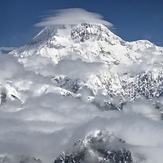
(90,56)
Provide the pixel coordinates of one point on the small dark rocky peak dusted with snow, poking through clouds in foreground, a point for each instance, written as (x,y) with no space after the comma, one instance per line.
(97,147)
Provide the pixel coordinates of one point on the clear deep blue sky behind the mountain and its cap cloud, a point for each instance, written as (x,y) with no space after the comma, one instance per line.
(132,19)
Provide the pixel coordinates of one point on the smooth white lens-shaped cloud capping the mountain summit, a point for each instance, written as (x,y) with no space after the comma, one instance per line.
(73,16)
